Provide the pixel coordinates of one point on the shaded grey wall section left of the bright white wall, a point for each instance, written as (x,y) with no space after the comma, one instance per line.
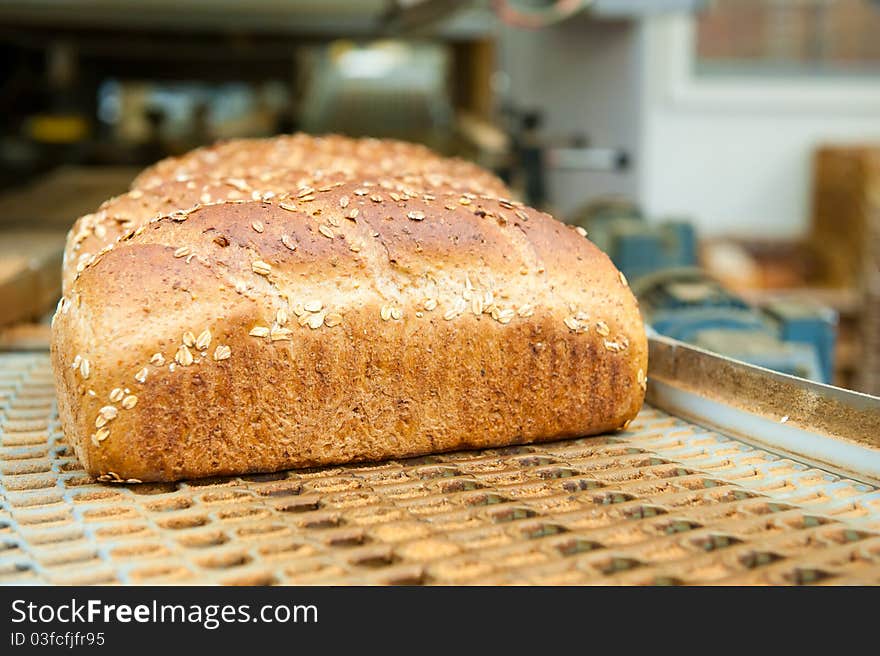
(584,74)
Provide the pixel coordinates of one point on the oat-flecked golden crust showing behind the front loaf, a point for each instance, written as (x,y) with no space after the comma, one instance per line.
(258,168)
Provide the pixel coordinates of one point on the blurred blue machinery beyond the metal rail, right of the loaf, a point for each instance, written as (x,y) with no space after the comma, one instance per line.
(681,300)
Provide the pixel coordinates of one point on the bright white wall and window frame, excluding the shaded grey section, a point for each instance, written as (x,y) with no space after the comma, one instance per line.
(736,155)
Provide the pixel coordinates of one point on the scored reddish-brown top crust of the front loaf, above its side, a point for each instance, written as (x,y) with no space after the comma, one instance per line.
(446,245)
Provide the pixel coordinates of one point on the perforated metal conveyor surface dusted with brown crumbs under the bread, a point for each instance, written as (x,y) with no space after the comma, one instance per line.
(666,502)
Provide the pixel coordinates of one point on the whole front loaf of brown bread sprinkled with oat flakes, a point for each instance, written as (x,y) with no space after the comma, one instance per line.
(359,320)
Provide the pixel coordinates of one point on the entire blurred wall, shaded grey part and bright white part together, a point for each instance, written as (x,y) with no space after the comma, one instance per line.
(734,155)
